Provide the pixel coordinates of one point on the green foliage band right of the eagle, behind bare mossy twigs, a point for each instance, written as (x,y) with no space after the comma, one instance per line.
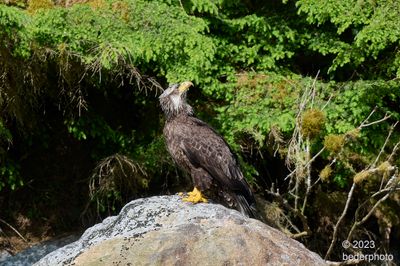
(264,101)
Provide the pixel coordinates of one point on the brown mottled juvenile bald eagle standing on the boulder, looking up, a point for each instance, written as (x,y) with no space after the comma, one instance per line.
(203,153)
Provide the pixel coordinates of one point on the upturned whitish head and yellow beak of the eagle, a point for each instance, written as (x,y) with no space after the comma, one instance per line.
(173,100)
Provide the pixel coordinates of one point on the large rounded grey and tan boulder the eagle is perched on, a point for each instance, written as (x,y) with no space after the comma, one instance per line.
(166,231)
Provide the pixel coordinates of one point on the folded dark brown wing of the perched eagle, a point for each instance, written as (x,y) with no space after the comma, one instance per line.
(205,148)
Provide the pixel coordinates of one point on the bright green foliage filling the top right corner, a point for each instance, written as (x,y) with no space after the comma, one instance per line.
(372,25)
